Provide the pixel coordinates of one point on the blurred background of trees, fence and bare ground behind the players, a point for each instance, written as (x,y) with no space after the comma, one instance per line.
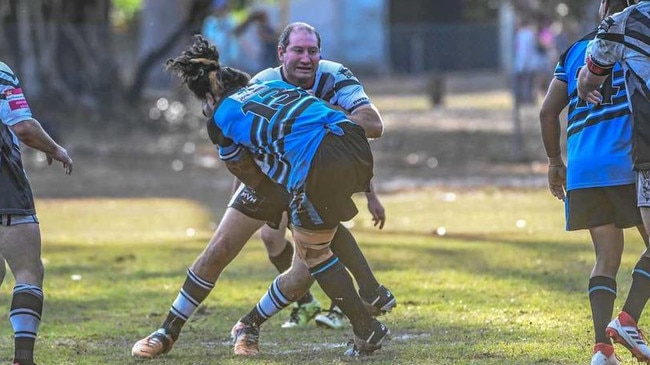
(458,81)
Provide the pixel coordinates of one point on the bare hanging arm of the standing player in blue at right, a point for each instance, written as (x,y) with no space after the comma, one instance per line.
(554,102)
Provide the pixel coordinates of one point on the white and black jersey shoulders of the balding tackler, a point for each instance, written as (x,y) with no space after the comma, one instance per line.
(334,83)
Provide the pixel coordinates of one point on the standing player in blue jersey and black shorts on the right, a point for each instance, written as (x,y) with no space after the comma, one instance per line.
(599,181)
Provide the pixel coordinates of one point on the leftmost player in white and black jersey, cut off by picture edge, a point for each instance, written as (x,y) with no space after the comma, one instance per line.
(20,236)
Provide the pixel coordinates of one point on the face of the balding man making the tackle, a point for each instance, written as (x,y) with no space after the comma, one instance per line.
(300,58)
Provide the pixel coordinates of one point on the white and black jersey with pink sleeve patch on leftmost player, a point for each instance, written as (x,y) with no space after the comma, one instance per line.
(15,192)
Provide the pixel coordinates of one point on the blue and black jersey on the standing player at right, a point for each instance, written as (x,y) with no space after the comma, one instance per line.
(599,137)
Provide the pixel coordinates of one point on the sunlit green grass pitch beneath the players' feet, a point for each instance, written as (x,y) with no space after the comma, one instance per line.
(505,284)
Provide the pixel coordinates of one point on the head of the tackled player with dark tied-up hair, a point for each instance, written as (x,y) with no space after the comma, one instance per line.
(198,67)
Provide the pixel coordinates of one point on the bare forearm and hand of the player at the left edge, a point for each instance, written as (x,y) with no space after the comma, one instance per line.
(31,133)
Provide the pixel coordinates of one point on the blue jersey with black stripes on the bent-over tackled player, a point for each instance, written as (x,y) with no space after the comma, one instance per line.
(280,124)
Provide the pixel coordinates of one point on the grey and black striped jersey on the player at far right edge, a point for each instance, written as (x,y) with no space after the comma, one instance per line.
(623,37)
